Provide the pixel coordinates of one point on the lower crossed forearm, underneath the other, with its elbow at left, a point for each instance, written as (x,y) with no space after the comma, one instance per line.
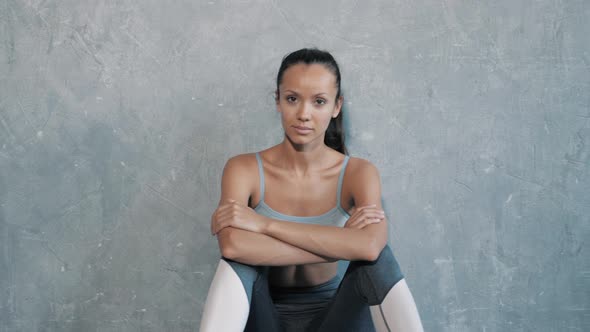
(259,249)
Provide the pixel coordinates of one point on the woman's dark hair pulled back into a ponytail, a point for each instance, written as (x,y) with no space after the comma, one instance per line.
(335,133)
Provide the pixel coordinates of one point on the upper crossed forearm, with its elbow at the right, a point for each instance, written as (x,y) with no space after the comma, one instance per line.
(330,241)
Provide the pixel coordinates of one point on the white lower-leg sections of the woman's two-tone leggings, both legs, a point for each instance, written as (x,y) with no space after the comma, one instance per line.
(227,306)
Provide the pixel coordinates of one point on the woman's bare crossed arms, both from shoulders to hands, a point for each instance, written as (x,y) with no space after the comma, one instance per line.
(250,238)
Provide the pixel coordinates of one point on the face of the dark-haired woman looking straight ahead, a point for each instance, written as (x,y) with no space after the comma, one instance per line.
(307,101)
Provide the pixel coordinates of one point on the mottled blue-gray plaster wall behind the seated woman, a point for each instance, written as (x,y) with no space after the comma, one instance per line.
(116,118)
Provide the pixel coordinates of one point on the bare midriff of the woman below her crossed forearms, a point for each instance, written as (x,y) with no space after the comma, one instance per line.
(302,275)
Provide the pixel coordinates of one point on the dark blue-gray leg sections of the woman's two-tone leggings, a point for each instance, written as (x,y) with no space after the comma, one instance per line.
(364,284)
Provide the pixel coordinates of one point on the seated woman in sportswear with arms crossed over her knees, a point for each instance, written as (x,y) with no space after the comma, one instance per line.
(288,214)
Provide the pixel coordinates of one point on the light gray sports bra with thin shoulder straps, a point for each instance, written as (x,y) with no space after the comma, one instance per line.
(335,217)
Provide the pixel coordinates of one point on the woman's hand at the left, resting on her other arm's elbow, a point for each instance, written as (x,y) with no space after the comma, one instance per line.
(234,214)
